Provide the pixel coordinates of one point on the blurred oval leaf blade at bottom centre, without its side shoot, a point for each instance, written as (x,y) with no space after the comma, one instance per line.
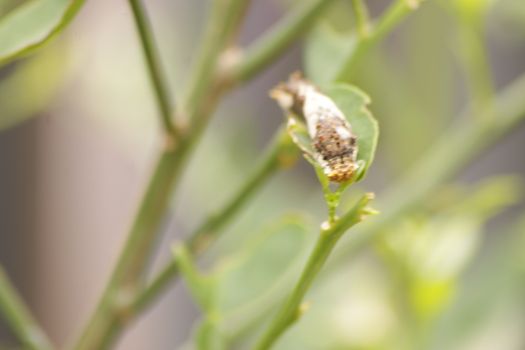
(254,279)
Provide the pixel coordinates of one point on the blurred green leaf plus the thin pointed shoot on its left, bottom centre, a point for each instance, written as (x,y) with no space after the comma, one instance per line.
(246,284)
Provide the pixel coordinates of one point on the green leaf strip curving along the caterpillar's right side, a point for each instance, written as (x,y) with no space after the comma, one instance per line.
(353,103)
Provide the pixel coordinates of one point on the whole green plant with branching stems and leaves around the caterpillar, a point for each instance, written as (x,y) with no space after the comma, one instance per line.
(332,57)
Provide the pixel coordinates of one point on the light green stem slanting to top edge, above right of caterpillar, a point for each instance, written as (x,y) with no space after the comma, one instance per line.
(393,15)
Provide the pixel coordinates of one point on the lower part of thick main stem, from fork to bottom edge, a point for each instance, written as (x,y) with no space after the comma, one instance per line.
(112,312)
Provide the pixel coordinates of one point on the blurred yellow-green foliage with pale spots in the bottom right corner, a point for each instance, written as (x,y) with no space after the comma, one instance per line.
(423,261)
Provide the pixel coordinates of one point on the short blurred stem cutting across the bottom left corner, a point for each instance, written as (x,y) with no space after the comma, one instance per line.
(19,318)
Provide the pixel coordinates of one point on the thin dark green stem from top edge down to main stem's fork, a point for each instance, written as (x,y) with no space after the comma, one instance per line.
(153,62)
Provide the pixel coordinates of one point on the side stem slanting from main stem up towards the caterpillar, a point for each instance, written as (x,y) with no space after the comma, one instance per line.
(281,153)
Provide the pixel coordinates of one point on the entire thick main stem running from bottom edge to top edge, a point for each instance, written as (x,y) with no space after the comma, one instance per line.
(115,307)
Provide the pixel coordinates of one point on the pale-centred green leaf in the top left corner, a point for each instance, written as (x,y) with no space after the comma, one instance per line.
(32,24)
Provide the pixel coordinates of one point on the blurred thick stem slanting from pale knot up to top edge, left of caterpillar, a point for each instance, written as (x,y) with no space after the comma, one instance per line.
(278,39)
